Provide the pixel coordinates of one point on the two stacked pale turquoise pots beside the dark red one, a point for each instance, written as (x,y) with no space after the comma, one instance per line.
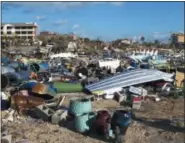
(81,109)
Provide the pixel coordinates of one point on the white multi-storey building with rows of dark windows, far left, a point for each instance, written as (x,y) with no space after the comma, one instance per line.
(20,30)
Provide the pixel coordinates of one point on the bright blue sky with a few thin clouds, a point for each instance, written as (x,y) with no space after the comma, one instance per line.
(104,20)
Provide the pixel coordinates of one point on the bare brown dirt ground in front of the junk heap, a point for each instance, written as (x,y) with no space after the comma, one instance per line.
(151,125)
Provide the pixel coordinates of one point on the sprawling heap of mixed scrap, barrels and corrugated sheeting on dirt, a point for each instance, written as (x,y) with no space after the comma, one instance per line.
(31,87)
